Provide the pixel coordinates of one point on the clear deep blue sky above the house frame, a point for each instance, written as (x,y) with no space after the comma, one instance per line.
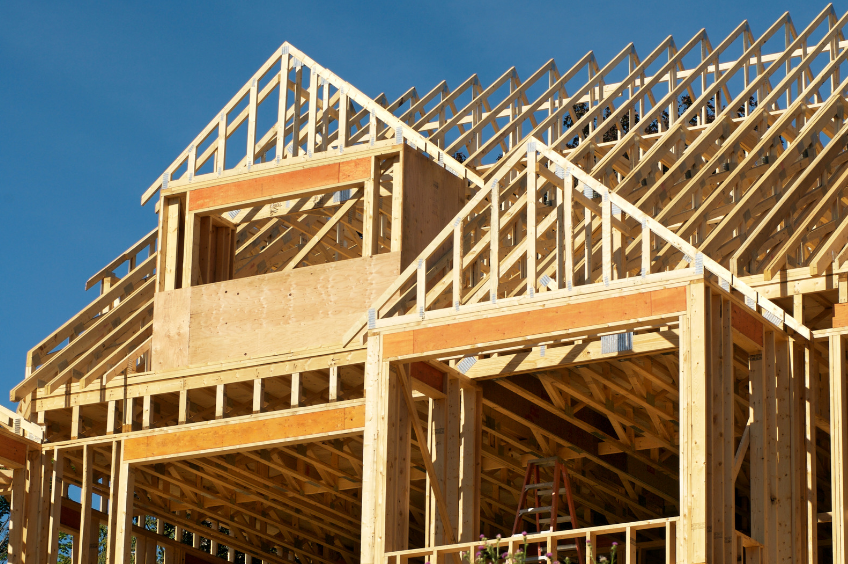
(99,97)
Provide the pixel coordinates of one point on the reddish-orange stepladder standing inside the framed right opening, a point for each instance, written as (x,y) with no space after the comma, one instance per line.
(559,486)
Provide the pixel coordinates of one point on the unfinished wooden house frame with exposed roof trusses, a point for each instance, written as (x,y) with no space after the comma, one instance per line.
(600,303)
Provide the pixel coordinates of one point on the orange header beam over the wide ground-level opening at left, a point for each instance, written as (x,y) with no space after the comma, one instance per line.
(244,434)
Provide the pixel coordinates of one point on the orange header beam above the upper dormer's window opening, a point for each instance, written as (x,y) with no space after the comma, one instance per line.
(280,184)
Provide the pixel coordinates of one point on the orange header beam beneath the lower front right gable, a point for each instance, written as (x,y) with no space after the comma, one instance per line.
(524,324)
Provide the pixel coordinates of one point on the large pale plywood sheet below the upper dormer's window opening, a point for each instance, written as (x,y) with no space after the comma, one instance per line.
(284,311)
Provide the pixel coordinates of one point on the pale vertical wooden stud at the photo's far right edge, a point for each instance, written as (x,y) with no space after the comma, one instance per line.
(838,459)
